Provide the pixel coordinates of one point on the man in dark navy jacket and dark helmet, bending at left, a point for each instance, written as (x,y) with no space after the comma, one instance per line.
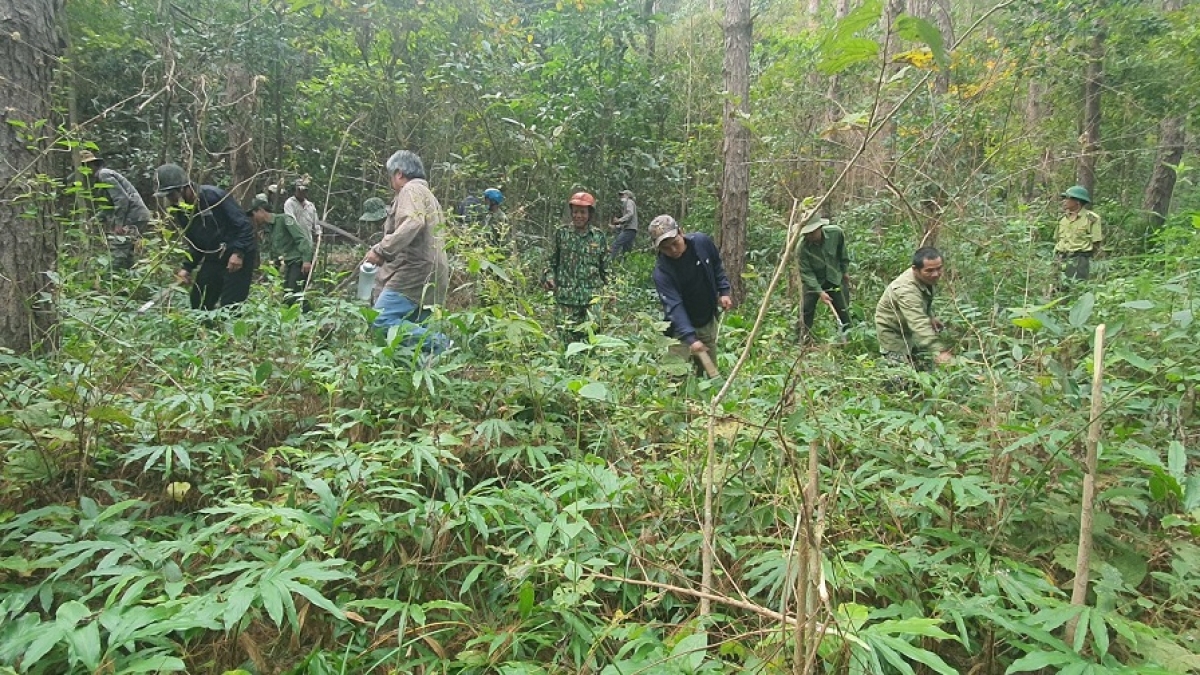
(223,252)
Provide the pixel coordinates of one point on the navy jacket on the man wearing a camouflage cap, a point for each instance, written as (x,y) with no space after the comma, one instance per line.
(712,284)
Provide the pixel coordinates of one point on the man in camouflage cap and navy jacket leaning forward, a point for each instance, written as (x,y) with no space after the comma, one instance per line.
(692,285)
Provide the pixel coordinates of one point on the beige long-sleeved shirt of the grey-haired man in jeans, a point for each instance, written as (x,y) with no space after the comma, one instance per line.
(415,258)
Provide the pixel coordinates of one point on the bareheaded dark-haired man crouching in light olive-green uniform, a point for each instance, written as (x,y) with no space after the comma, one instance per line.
(904,318)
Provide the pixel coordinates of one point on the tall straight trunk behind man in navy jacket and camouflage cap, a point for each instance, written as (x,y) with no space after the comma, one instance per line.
(736,178)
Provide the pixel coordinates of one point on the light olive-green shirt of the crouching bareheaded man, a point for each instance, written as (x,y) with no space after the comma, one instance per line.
(904,318)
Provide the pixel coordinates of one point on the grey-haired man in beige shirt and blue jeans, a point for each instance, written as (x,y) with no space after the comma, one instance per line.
(413,272)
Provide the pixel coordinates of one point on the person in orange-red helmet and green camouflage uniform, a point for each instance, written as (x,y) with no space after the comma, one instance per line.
(578,267)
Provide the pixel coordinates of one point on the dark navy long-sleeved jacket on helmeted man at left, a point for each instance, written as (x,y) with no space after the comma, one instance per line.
(217,226)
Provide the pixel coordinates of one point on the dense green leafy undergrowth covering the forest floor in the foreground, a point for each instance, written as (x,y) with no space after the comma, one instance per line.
(278,493)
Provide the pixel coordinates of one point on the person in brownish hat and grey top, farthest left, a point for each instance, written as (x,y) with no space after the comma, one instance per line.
(125,217)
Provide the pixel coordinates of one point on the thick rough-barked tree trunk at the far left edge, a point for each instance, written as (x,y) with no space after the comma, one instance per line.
(31,46)
